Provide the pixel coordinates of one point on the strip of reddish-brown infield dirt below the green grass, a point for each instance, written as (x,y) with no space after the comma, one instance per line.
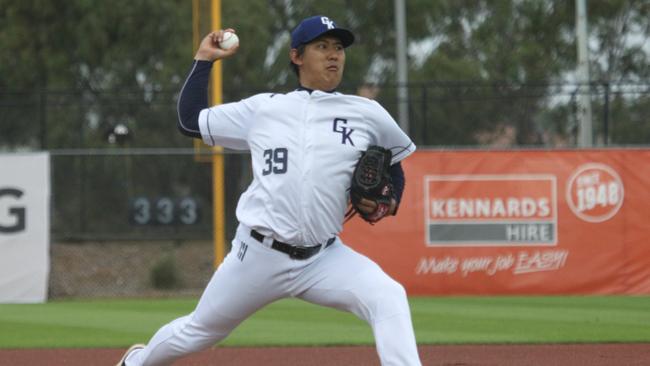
(457,355)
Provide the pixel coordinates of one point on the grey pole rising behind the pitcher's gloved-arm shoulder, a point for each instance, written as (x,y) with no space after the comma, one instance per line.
(402,66)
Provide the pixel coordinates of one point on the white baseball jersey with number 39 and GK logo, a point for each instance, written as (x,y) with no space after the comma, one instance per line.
(304,147)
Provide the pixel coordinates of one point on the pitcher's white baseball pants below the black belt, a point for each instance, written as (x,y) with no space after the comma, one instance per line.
(254,275)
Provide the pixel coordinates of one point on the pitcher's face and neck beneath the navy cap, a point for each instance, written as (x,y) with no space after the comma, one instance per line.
(322,63)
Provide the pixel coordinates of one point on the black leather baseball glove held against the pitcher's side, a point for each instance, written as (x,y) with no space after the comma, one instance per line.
(371,180)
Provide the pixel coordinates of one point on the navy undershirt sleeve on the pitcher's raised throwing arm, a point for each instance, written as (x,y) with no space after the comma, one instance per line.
(193,98)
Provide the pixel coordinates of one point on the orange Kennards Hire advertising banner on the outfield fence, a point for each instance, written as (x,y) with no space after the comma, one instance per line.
(517,222)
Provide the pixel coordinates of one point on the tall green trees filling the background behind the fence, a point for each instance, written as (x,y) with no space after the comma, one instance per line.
(476,66)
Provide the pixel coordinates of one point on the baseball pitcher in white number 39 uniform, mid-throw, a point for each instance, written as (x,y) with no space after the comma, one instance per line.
(316,154)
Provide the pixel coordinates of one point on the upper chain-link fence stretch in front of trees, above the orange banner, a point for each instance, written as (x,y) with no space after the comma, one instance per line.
(440,114)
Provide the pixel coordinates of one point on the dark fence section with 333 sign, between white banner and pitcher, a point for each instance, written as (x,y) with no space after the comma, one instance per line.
(137,222)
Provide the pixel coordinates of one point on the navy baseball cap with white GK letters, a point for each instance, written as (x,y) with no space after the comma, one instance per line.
(313,27)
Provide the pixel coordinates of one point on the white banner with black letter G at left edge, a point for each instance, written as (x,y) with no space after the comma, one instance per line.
(24,227)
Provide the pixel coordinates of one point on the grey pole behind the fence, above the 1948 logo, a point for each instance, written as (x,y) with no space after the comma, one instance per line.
(585,138)
